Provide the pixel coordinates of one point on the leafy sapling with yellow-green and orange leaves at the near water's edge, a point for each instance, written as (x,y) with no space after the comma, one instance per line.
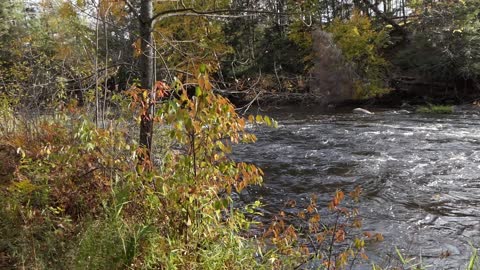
(192,186)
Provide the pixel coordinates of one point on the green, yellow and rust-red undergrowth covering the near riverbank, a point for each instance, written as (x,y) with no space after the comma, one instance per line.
(76,196)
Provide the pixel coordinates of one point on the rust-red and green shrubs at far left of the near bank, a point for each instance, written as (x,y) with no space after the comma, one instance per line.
(65,174)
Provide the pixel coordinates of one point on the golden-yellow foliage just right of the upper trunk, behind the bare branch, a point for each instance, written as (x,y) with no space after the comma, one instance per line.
(201,39)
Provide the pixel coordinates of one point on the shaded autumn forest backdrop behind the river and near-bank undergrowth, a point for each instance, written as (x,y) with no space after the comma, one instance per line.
(56,49)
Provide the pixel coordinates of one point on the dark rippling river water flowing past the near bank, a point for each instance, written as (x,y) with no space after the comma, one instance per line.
(420,175)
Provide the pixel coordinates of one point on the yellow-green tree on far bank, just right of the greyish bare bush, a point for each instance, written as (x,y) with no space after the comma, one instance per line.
(361,46)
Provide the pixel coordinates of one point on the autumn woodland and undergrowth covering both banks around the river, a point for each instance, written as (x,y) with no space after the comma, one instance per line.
(118,118)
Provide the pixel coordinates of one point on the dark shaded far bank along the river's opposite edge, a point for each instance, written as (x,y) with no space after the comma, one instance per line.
(295,91)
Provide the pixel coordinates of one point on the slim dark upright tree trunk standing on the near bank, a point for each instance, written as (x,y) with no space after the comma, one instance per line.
(146,71)
